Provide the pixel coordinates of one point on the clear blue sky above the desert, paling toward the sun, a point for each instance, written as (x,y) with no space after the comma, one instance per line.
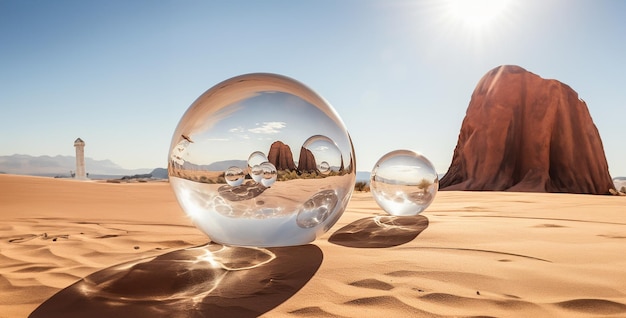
(120,74)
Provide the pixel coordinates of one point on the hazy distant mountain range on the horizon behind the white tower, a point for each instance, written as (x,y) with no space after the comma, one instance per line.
(63,166)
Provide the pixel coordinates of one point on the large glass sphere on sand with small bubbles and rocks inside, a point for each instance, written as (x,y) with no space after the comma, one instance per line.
(262,160)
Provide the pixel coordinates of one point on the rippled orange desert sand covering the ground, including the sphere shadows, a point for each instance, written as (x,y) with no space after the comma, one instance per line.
(95,249)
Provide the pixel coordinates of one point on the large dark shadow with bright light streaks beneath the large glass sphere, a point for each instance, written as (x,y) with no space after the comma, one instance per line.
(206,281)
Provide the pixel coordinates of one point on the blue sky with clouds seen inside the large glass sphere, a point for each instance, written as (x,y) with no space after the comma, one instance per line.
(260,120)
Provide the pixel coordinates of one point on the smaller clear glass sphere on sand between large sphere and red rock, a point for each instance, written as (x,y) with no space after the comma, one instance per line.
(404,183)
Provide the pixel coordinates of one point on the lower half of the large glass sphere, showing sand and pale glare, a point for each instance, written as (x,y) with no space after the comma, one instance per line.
(264,215)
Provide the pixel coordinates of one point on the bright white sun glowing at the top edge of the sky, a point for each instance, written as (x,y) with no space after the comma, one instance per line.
(476,14)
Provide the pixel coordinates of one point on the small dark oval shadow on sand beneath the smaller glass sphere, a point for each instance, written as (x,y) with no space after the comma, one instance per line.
(380,231)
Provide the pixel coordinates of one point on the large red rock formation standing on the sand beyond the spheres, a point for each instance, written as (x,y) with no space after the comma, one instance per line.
(525,133)
